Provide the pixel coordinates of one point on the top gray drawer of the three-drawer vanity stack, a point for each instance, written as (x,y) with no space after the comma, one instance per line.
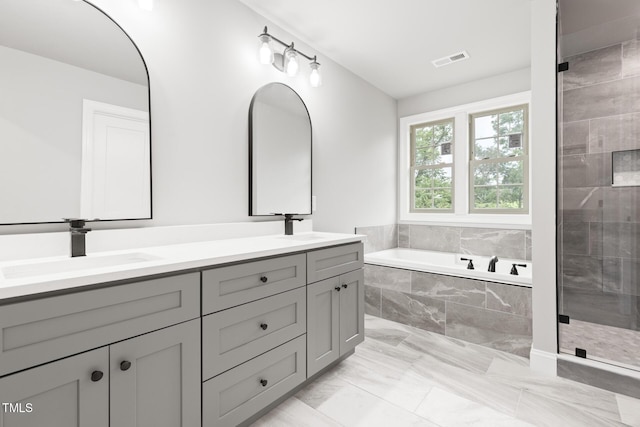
(237,284)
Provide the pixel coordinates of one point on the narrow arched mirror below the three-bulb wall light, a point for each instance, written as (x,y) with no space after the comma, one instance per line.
(279,152)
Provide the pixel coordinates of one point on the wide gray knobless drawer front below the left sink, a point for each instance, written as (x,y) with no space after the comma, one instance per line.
(38,331)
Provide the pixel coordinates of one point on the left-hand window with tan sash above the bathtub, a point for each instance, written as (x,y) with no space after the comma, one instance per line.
(432,166)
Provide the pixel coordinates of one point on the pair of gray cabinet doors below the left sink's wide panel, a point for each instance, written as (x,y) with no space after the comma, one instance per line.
(147,381)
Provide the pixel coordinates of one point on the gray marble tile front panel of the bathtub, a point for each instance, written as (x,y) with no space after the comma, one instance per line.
(491,314)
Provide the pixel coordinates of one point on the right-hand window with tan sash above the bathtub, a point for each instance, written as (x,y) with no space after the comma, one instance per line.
(499,163)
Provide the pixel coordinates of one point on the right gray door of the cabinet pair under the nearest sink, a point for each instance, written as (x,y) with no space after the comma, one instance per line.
(155,378)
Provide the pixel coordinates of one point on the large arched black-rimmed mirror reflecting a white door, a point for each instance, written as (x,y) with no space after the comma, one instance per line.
(75,136)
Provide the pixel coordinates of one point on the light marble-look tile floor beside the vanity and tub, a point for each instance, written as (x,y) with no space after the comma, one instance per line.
(403,376)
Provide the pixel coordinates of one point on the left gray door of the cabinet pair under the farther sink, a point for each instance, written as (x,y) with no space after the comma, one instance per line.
(323,316)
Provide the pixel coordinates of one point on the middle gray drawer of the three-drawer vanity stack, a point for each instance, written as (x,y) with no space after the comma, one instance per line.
(233,336)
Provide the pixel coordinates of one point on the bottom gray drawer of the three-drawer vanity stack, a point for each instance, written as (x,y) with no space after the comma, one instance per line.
(235,395)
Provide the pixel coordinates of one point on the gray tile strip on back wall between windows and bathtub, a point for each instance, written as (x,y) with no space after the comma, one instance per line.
(472,241)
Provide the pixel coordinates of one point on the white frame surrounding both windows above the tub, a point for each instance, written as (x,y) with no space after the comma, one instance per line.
(461,216)
